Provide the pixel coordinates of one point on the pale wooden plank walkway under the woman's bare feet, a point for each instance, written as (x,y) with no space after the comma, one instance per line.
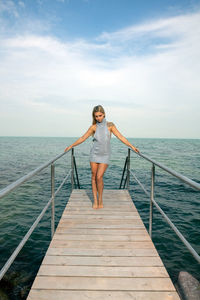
(102,254)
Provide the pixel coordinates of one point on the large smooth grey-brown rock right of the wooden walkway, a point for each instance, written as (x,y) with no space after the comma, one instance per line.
(189,286)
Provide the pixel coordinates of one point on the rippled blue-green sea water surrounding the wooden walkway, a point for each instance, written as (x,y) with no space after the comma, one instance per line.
(20,155)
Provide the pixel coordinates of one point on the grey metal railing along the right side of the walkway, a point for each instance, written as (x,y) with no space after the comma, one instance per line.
(186,180)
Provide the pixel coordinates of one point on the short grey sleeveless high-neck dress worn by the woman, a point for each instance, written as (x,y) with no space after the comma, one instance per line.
(100,151)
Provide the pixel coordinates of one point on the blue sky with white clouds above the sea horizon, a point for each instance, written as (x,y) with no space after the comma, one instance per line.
(139,59)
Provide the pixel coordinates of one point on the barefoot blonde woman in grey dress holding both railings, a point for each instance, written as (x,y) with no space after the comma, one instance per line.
(100,152)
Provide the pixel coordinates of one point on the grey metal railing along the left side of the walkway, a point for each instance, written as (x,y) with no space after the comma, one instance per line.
(51,201)
